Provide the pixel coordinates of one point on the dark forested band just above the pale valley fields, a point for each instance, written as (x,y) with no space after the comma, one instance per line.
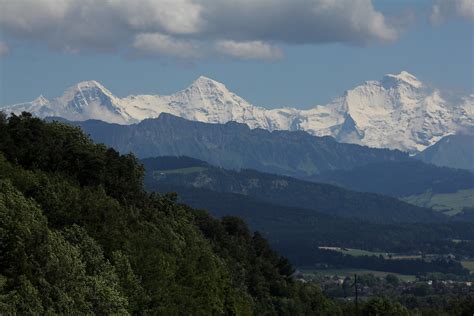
(295,232)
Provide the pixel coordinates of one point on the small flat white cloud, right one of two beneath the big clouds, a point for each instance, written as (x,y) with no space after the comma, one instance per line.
(249,50)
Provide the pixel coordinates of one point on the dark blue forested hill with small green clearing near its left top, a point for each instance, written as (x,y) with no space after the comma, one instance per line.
(283,191)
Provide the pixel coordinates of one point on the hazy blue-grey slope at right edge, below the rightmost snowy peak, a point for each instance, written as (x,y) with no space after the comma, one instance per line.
(455,151)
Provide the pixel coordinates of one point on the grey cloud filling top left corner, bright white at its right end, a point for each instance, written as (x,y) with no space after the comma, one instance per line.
(98,25)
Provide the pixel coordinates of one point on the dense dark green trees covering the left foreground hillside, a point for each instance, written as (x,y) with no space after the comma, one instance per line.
(79,235)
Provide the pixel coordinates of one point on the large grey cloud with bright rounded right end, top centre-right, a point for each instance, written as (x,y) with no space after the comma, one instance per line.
(298,21)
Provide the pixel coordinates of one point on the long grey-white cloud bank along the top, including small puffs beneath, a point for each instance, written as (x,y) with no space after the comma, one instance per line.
(243,29)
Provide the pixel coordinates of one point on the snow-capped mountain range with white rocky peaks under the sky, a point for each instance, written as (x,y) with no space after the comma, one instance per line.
(397,112)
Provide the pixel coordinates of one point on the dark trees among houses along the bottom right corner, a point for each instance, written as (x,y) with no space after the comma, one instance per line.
(425,296)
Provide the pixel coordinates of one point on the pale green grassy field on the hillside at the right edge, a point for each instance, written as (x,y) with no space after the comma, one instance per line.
(453,202)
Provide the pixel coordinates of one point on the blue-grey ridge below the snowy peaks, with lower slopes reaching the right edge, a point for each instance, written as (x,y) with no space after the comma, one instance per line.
(296,154)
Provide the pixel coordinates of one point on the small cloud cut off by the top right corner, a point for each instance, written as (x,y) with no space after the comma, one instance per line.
(443,10)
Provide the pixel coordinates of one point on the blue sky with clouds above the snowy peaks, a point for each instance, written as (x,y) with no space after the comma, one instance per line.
(273,53)
